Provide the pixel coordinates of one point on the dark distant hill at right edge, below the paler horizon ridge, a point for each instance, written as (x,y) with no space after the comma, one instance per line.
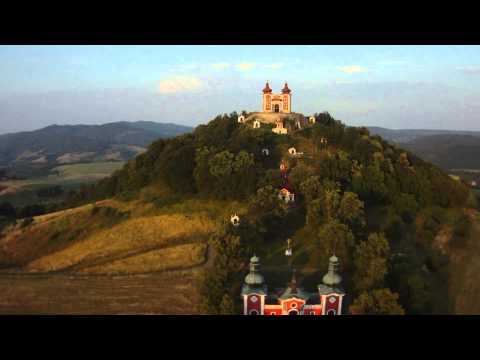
(448,151)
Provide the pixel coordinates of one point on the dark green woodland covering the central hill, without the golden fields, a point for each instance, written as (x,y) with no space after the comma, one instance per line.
(380,206)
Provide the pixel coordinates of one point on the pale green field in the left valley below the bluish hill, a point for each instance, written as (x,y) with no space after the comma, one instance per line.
(23,192)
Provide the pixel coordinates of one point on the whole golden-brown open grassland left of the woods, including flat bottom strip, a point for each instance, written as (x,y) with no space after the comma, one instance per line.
(112,257)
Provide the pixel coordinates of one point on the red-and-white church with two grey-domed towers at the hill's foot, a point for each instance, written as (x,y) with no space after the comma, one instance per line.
(258,300)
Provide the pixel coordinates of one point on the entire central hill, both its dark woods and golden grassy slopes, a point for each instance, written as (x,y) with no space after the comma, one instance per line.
(396,222)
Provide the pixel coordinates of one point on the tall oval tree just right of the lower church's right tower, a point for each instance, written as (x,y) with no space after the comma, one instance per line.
(370,262)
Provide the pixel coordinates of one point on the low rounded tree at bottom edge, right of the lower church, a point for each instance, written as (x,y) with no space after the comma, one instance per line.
(377,302)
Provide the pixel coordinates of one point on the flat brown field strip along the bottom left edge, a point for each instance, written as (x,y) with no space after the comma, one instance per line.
(159,293)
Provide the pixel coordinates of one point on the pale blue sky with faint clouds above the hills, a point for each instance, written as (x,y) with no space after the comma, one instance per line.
(399,87)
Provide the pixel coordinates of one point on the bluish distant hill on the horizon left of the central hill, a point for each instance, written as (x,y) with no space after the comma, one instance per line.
(63,144)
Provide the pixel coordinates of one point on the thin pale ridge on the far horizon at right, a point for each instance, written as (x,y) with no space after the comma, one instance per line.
(408,135)
